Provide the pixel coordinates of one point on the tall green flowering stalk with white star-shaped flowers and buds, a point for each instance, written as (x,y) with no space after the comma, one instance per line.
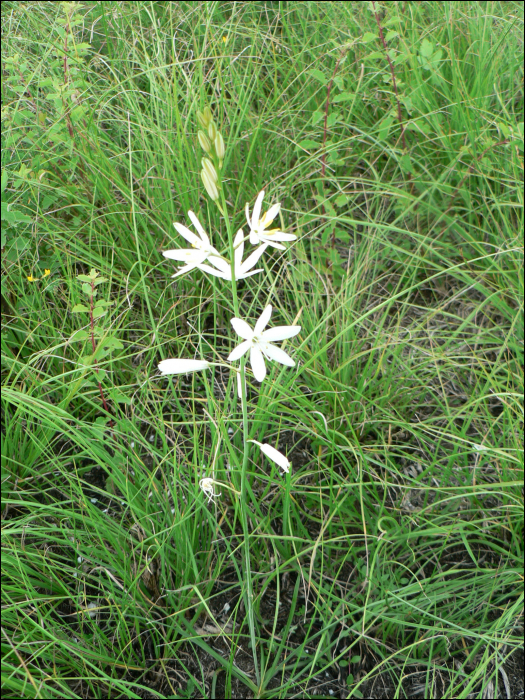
(204,258)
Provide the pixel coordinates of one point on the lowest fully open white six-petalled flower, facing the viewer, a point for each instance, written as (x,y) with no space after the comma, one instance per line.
(259,343)
